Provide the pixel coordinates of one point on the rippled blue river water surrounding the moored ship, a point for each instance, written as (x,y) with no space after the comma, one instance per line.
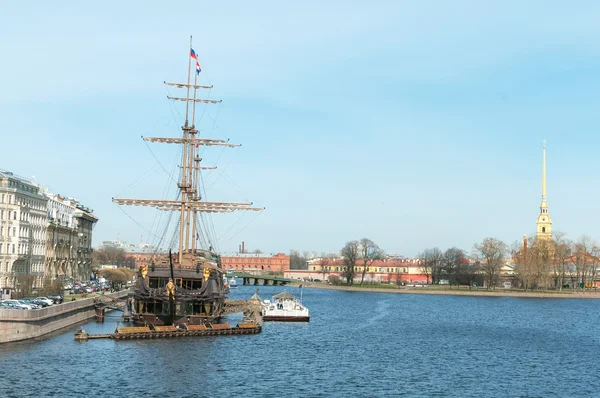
(356,344)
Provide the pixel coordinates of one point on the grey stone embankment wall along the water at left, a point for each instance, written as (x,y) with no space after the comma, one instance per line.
(18,325)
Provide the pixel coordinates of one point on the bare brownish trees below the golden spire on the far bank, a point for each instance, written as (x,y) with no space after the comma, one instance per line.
(554,263)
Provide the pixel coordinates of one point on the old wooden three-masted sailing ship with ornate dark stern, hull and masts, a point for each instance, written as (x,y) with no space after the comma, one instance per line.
(188,287)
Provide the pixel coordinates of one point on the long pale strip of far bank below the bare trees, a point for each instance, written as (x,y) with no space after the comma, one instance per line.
(479,293)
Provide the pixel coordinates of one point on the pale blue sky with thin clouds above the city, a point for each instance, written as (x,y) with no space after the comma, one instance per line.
(414,124)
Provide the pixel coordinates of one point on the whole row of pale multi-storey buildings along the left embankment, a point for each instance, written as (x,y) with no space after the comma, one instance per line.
(41,234)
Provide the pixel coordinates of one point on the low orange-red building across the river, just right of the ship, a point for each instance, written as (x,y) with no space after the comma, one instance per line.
(256,262)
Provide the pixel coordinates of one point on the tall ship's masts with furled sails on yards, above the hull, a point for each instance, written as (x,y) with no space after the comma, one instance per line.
(190,202)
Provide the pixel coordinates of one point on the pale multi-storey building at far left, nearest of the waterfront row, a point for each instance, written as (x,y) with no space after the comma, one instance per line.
(22,230)
